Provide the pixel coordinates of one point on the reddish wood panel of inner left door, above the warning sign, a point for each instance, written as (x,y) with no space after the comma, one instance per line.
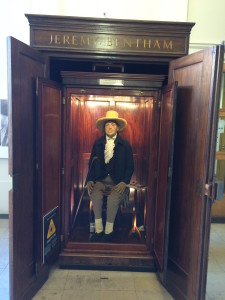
(51,147)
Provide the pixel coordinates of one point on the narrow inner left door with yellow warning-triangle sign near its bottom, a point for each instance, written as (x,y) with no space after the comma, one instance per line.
(48,165)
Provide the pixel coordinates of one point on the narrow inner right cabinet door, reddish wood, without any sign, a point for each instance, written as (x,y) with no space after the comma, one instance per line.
(165,164)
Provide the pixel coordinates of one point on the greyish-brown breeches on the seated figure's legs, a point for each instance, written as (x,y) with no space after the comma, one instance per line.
(101,189)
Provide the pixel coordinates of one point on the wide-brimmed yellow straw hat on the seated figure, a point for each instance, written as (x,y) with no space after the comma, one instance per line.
(111,115)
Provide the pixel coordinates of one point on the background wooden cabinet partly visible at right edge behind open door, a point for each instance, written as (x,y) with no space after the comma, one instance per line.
(218,207)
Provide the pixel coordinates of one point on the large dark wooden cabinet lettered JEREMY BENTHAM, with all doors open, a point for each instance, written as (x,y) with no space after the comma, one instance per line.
(51,137)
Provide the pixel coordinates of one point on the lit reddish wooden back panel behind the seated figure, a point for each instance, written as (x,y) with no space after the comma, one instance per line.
(136,110)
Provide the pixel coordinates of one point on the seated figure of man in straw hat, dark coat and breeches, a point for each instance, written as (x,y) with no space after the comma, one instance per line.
(111,167)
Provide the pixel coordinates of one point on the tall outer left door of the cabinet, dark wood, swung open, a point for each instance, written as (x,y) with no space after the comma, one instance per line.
(24,65)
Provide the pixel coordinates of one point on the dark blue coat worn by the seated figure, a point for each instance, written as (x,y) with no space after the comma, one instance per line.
(121,165)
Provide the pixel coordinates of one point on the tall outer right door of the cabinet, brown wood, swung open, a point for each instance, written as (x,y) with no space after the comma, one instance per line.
(199,78)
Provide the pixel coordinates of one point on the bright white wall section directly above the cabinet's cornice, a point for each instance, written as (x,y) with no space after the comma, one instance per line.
(161,10)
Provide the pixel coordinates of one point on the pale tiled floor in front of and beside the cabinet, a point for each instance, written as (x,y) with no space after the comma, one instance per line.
(101,285)
